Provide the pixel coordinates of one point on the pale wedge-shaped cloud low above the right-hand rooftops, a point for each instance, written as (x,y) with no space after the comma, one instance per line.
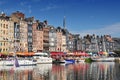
(113,30)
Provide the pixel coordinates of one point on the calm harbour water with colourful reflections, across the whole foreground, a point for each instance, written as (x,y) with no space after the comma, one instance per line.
(77,71)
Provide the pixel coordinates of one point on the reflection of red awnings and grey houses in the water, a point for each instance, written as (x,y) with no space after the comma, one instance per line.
(86,71)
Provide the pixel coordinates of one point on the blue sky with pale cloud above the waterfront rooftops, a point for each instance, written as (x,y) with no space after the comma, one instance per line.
(100,17)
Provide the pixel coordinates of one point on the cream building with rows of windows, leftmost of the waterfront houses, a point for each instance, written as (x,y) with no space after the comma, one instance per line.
(6,34)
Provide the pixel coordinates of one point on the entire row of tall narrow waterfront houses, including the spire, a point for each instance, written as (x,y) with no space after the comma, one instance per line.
(21,34)
